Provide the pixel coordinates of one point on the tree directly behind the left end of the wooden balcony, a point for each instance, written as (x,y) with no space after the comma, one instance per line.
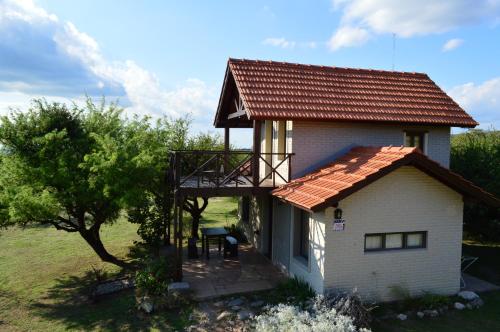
(152,209)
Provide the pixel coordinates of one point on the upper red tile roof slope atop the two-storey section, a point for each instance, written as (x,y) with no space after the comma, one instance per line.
(279,90)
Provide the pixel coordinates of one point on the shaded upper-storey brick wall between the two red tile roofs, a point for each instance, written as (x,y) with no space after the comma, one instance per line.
(316,143)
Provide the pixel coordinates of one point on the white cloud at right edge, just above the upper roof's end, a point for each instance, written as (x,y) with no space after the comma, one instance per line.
(482,101)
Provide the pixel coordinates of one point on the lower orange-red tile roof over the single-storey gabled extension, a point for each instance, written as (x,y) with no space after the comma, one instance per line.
(360,167)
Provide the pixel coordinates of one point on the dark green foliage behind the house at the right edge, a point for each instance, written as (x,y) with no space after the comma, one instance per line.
(476,156)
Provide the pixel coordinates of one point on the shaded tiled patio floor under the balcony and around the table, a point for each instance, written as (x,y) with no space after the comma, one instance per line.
(248,272)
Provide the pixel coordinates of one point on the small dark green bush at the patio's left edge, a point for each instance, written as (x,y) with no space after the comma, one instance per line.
(155,276)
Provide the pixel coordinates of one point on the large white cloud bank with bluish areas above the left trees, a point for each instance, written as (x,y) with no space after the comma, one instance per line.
(71,64)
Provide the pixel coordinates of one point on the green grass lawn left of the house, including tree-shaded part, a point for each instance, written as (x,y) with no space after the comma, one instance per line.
(44,272)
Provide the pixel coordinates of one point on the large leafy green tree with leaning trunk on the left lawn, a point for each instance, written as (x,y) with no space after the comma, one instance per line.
(67,167)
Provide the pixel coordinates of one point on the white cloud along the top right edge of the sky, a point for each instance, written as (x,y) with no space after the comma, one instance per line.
(414,17)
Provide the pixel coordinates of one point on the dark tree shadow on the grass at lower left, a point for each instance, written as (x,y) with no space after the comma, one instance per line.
(67,302)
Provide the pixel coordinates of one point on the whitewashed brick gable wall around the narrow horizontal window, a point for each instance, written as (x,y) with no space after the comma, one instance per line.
(405,200)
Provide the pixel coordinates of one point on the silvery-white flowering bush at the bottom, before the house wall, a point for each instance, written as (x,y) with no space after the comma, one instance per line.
(289,318)
